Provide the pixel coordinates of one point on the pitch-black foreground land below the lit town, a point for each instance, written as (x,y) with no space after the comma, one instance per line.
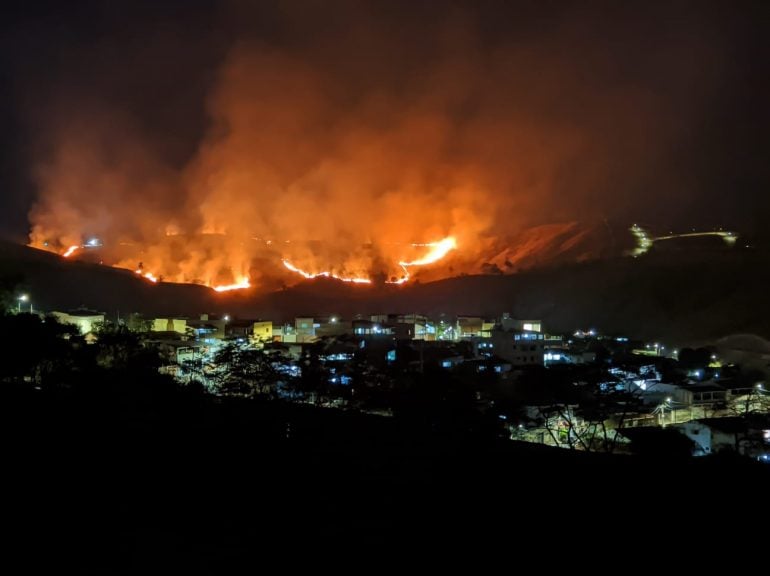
(190,485)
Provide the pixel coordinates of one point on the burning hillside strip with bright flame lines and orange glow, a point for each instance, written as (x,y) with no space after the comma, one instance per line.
(218,261)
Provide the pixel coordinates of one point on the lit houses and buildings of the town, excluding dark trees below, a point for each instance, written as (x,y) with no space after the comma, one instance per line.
(709,406)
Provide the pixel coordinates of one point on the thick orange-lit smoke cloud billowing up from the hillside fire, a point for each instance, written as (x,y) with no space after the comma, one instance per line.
(338,137)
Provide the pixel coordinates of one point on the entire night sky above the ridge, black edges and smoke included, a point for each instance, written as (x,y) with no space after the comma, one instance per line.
(651,112)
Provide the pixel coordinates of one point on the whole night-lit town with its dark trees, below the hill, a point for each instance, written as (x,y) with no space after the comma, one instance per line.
(499,377)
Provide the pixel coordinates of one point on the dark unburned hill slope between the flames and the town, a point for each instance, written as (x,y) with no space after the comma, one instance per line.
(692,294)
